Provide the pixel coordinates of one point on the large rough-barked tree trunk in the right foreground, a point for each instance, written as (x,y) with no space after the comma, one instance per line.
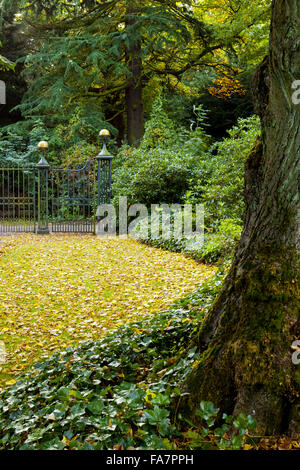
(246,362)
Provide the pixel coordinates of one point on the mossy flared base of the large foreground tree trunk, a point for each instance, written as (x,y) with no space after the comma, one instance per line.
(247,366)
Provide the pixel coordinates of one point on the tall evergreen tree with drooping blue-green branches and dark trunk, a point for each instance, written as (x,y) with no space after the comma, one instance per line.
(99,57)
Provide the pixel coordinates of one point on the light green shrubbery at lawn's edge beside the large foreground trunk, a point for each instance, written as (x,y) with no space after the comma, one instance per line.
(217,184)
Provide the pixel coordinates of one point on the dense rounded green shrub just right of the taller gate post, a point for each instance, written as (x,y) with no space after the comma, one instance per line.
(162,168)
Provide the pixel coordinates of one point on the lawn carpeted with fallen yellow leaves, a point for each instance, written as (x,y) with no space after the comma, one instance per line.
(59,290)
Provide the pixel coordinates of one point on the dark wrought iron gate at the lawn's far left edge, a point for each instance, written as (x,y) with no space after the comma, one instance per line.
(44,200)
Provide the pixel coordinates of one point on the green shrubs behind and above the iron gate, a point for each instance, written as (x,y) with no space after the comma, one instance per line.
(70,144)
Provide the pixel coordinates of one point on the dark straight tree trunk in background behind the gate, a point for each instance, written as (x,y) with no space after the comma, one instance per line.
(134,91)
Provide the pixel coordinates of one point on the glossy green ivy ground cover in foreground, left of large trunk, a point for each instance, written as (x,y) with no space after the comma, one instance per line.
(108,394)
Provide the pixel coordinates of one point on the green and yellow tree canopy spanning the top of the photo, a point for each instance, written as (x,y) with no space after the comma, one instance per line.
(105,61)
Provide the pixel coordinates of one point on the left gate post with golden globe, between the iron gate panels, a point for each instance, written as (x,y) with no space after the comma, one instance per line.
(43,175)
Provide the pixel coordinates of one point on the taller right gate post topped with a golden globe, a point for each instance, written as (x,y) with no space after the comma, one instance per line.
(104,170)
